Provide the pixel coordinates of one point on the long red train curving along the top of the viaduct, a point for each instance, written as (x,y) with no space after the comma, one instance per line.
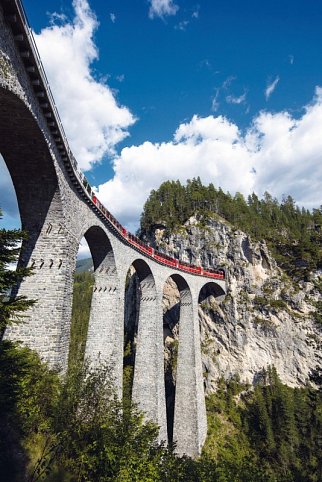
(144,248)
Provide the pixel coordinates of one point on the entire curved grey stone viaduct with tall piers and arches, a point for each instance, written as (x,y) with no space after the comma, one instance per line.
(57,212)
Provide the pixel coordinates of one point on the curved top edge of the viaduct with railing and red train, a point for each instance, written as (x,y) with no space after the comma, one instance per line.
(17,18)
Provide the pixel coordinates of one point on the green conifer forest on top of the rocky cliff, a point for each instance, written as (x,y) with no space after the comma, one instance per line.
(294,235)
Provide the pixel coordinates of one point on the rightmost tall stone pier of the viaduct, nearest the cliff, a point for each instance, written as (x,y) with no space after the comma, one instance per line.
(190,424)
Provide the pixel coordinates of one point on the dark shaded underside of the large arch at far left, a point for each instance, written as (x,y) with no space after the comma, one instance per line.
(31,167)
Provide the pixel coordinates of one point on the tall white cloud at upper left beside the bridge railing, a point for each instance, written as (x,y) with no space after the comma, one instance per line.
(93,120)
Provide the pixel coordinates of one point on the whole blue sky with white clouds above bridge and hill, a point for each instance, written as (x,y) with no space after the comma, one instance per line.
(156,89)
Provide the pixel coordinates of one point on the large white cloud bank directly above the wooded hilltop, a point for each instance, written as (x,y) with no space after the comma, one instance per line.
(277,153)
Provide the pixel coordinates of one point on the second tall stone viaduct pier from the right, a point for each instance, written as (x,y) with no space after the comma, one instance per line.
(148,383)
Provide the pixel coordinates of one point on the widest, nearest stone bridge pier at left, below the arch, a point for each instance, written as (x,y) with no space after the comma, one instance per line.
(51,252)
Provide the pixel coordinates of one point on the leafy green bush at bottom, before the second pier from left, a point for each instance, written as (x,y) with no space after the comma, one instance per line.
(102,440)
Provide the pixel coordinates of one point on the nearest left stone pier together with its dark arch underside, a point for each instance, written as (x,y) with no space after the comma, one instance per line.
(49,248)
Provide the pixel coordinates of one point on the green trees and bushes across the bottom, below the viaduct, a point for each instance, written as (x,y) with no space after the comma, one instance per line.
(73,428)
